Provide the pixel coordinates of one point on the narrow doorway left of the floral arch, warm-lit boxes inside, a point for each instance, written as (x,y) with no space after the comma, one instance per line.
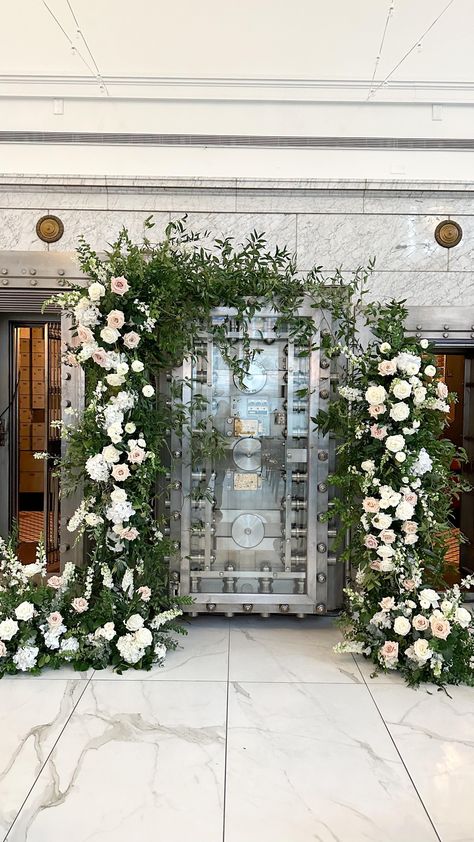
(35,406)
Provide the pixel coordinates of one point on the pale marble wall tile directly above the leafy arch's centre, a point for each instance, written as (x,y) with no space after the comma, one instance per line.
(278,228)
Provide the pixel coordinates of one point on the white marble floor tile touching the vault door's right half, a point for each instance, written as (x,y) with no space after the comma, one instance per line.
(284,649)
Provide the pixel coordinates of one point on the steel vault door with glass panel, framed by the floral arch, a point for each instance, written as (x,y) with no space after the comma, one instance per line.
(247,525)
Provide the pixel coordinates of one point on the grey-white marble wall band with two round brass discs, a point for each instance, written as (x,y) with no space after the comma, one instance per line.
(331,224)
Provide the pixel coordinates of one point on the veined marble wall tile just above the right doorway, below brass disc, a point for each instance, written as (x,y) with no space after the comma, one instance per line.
(420,288)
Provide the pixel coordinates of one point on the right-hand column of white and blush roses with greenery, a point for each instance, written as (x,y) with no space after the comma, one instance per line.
(395,495)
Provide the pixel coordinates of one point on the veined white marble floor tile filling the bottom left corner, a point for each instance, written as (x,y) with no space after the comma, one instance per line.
(32,715)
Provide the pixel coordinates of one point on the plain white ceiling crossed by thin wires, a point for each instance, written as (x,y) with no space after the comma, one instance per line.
(304,39)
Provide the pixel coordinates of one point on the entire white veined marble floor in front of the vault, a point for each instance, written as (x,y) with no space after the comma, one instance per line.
(255,731)
